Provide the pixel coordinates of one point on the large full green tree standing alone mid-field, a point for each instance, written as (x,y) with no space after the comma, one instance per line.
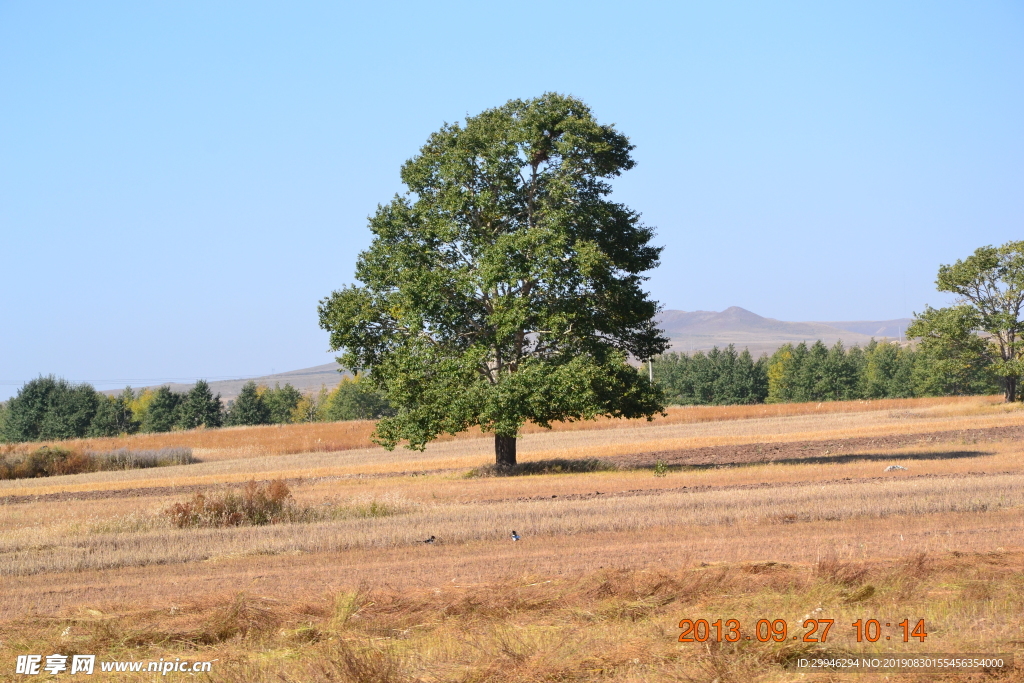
(505,287)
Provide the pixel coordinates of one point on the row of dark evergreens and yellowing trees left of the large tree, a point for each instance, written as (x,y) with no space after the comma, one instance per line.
(51,409)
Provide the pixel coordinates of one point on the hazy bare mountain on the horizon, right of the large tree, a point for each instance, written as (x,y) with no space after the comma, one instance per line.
(702,330)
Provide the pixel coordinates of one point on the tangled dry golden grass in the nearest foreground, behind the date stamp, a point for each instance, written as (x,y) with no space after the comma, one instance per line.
(609,624)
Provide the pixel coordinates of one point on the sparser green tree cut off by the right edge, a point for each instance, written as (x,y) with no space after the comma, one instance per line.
(985,328)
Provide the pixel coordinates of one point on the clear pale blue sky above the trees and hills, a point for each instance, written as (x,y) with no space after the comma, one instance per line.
(182,183)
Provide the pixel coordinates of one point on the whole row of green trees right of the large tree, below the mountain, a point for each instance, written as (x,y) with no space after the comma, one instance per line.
(801,373)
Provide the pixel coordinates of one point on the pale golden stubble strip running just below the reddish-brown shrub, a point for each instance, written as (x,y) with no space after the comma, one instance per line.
(140,540)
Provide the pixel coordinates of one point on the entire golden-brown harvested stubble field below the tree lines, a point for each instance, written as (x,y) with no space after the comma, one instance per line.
(780,513)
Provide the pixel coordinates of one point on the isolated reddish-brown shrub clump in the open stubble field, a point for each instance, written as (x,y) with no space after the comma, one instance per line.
(257,504)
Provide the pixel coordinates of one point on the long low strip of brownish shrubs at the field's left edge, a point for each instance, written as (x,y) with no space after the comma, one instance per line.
(57,461)
